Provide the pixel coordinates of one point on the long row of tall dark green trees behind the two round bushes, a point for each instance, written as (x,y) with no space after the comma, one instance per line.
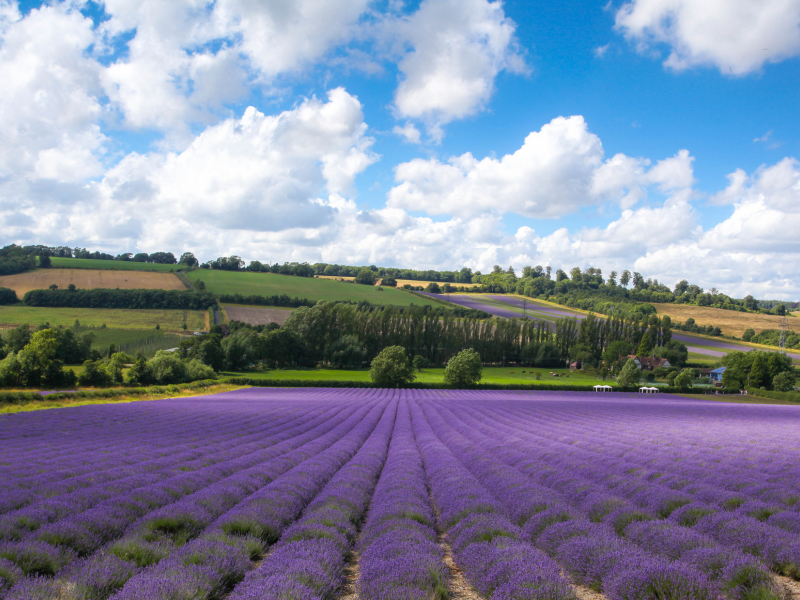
(344,335)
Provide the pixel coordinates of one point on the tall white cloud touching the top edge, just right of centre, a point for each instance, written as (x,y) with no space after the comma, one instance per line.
(456,48)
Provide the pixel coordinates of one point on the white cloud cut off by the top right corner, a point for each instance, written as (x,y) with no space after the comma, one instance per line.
(735,36)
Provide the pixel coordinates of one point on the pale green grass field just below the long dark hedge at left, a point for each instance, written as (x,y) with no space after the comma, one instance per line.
(111,317)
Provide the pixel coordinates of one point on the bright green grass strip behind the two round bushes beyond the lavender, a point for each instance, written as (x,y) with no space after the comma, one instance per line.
(490,375)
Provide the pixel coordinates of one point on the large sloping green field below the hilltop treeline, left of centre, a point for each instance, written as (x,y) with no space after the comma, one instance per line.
(268,284)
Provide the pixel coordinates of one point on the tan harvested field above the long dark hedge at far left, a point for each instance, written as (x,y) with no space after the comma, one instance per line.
(41,279)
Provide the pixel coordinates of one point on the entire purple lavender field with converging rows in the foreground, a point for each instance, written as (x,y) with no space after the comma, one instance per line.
(321,494)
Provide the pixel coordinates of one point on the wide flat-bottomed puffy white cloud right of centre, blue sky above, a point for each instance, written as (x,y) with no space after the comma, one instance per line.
(558,170)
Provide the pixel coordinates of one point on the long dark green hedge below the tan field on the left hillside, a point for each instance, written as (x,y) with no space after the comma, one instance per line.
(108,298)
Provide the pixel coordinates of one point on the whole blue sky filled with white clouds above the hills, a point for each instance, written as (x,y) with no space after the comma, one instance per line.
(659,136)
